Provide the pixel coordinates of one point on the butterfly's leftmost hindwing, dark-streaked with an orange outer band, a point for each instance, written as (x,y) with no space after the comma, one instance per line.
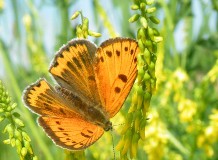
(44,100)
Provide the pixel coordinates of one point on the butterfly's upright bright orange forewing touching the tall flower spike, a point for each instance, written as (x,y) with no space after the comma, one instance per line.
(116,71)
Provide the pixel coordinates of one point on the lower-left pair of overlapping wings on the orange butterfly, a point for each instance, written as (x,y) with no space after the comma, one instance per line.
(64,125)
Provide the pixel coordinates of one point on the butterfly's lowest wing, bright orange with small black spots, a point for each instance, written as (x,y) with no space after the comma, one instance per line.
(72,133)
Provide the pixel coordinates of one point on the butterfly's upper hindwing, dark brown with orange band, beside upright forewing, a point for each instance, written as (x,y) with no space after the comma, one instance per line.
(73,69)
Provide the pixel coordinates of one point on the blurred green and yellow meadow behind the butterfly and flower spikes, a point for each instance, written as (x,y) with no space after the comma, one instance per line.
(183,115)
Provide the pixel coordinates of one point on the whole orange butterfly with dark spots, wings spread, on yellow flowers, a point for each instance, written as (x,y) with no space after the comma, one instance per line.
(92,85)
